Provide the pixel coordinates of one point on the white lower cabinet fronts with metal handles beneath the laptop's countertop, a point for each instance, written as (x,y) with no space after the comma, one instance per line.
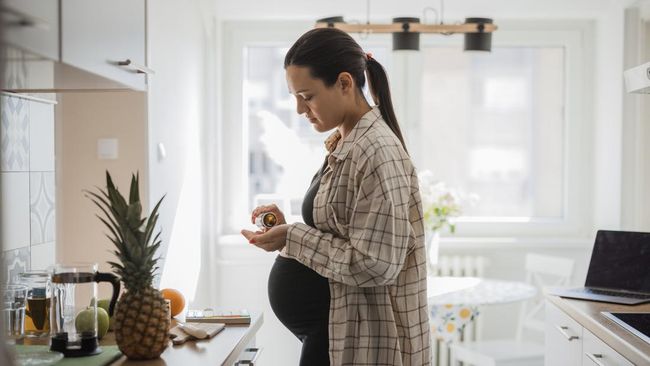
(568,343)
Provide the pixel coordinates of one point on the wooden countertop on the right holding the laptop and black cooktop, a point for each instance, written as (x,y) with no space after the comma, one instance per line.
(587,313)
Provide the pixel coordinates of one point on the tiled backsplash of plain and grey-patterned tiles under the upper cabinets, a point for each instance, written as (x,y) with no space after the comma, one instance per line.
(28,185)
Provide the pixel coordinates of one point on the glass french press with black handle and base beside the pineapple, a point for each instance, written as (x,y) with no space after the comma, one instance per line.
(74,308)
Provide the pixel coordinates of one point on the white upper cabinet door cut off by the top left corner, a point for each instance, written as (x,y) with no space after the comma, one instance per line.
(32,25)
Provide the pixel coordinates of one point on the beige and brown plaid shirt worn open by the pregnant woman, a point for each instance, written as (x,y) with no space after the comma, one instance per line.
(370,245)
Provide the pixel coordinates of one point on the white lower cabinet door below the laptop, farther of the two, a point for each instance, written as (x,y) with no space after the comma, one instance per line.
(563,337)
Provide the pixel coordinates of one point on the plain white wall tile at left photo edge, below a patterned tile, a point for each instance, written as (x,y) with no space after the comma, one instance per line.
(15,210)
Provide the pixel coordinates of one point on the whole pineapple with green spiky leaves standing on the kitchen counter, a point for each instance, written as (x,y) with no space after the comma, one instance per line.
(142,315)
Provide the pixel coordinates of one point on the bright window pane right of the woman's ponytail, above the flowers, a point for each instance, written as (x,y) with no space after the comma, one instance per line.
(493,125)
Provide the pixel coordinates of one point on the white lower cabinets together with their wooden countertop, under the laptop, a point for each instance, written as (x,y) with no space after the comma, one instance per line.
(577,334)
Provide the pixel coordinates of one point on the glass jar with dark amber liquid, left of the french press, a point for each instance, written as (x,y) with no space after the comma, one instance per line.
(37,311)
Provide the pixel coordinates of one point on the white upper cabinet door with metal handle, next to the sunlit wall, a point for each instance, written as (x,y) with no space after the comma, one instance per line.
(106,38)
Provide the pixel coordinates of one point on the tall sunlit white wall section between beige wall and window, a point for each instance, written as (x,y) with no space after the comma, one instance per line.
(177,36)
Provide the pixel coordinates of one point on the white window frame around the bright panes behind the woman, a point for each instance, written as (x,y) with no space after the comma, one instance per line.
(575,36)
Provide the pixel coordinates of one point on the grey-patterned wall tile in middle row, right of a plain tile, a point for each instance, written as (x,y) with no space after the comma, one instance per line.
(42,207)
